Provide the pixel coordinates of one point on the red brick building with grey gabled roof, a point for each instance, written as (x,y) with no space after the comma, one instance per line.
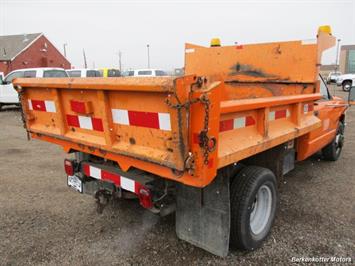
(28,51)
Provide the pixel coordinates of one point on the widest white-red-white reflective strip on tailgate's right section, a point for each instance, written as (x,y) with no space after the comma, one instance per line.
(142,119)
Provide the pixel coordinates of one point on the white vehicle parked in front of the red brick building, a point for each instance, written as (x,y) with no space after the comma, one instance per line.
(9,96)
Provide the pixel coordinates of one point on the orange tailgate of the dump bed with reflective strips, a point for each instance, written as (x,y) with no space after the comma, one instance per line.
(131,120)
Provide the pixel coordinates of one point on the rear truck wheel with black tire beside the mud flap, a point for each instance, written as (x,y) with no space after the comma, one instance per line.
(254,200)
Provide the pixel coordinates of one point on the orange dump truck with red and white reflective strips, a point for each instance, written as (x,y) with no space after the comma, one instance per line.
(211,145)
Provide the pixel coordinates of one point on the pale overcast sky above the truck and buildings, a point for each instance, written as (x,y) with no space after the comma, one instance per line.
(103,28)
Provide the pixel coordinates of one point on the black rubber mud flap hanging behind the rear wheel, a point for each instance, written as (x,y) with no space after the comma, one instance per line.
(203,215)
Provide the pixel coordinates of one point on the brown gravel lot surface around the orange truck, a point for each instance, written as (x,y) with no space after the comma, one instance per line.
(42,221)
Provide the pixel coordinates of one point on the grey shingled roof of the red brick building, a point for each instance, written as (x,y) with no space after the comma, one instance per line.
(12,45)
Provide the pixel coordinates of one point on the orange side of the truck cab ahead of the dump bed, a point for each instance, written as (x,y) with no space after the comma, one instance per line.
(329,110)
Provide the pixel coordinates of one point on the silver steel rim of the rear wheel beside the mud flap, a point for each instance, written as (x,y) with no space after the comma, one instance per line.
(261,210)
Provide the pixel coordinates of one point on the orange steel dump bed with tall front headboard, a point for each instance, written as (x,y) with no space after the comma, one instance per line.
(236,101)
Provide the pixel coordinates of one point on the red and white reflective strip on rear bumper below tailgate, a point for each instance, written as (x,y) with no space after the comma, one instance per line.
(118,180)
